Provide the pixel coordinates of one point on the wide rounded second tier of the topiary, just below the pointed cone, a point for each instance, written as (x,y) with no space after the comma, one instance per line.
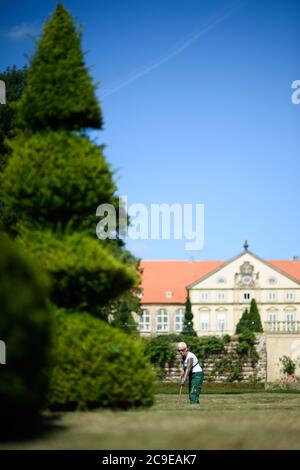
(56,180)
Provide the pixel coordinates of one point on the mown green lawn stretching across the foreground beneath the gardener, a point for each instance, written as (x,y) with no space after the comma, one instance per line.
(240,421)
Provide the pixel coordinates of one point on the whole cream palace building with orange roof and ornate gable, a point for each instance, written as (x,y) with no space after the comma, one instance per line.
(219,292)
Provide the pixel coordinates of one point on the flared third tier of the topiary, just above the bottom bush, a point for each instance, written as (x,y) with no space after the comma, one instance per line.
(84,273)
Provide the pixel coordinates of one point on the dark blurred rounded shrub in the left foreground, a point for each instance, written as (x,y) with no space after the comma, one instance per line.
(26,331)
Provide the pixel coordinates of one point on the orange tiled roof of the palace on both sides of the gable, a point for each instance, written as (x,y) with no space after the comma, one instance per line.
(161,276)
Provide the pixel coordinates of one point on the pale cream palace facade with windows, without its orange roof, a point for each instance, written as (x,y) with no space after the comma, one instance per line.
(219,299)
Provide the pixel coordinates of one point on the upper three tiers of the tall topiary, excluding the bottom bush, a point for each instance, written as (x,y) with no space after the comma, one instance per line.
(56,177)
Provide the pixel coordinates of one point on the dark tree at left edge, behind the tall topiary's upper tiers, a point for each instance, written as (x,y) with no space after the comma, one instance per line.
(14,80)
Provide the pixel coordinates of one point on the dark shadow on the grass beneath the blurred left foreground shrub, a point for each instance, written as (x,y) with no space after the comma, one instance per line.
(17,430)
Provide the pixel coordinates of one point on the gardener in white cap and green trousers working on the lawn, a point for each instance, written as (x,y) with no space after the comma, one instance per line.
(192,370)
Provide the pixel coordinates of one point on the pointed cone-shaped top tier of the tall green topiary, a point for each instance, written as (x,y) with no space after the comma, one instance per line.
(59,92)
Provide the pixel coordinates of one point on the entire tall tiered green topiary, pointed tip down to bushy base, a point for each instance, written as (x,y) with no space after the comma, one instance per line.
(52,185)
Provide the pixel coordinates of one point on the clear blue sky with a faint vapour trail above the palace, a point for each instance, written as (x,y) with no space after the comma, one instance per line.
(196,97)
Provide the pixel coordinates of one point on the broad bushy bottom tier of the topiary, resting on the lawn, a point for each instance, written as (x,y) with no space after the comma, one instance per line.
(96,365)
